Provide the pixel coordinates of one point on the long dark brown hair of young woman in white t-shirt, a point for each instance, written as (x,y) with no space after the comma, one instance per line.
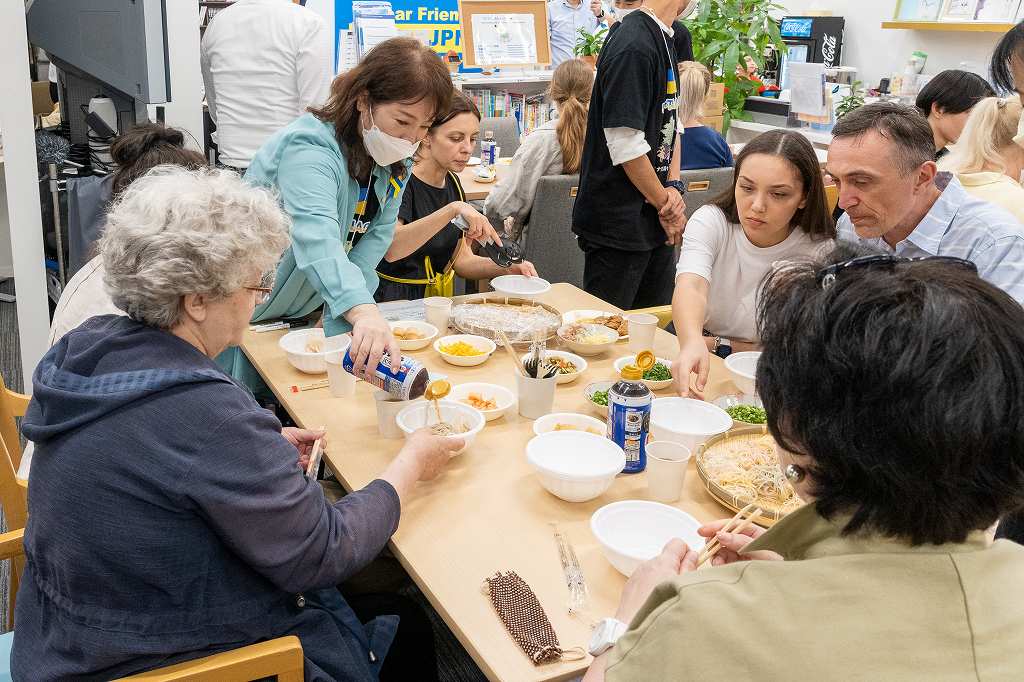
(815,219)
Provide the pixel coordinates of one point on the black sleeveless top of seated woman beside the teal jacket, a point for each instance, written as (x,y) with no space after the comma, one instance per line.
(419,201)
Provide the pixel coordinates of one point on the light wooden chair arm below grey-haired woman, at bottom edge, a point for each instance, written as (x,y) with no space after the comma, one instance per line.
(280,658)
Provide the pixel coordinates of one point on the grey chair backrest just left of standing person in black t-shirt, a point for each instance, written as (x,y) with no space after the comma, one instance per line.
(550,244)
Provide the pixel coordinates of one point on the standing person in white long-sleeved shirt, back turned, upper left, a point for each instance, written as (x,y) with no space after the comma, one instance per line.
(265,62)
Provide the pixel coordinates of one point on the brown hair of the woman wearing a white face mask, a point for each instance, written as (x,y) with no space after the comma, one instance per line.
(400,70)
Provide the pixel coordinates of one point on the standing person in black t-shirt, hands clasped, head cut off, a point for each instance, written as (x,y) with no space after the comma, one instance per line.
(629,209)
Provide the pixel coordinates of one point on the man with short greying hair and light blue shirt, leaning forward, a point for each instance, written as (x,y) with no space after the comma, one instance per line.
(882,159)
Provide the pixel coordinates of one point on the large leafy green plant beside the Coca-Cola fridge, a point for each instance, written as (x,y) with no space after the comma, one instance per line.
(726,33)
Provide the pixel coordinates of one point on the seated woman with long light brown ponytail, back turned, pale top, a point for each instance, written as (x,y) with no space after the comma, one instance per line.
(554,149)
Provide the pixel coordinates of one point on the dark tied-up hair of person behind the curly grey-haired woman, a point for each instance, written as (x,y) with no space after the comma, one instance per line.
(148,146)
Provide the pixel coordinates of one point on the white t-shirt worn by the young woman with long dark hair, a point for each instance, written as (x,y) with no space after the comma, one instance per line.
(720,252)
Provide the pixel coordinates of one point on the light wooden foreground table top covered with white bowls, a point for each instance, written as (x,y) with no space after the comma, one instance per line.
(487,513)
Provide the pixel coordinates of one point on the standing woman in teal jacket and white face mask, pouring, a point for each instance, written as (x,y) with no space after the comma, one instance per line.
(340,173)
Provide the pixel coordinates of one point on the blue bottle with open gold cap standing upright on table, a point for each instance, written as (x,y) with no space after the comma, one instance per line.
(629,413)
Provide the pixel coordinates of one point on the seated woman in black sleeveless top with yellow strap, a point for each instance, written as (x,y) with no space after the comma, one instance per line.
(426,245)
